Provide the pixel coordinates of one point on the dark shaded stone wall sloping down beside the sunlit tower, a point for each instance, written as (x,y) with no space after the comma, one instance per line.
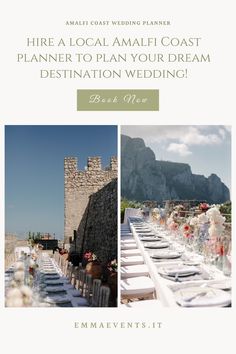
(98,228)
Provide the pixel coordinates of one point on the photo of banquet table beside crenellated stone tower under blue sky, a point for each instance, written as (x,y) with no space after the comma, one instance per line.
(61,216)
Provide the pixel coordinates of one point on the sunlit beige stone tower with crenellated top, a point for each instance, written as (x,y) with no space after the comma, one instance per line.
(79,186)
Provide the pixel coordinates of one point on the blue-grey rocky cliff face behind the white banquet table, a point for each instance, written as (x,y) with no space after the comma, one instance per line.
(143,177)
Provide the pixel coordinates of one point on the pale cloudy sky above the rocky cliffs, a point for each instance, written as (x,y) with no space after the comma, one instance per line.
(206,148)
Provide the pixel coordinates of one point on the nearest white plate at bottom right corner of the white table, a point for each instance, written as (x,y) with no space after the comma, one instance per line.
(203,297)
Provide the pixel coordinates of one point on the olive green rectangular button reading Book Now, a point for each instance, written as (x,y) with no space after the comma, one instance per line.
(117,100)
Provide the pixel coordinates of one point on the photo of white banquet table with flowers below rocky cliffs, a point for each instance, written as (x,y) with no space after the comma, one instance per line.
(175,216)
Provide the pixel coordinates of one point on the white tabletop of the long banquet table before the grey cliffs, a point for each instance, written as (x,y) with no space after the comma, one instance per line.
(166,288)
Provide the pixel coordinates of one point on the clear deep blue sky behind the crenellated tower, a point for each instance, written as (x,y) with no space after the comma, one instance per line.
(34,175)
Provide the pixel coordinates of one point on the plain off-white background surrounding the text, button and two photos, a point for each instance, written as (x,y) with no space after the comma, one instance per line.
(204,98)
